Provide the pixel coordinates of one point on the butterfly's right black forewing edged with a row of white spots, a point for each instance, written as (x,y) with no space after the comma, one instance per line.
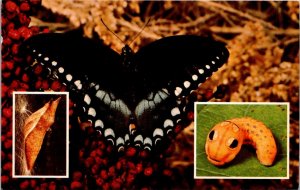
(181,61)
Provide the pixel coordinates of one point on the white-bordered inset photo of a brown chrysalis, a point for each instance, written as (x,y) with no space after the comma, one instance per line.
(40,134)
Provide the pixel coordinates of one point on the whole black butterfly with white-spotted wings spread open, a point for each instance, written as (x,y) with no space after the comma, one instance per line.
(133,99)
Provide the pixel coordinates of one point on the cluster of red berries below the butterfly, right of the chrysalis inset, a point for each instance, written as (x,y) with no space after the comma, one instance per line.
(110,170)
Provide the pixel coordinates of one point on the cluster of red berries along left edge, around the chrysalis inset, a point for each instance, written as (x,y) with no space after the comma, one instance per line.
(15,29)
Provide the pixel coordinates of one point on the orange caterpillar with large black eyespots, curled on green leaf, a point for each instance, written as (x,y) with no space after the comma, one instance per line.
(225,140)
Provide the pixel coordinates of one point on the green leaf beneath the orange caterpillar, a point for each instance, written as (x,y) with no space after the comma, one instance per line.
(245,163)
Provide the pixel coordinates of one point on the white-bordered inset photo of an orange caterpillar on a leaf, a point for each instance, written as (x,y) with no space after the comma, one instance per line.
(241,140)
